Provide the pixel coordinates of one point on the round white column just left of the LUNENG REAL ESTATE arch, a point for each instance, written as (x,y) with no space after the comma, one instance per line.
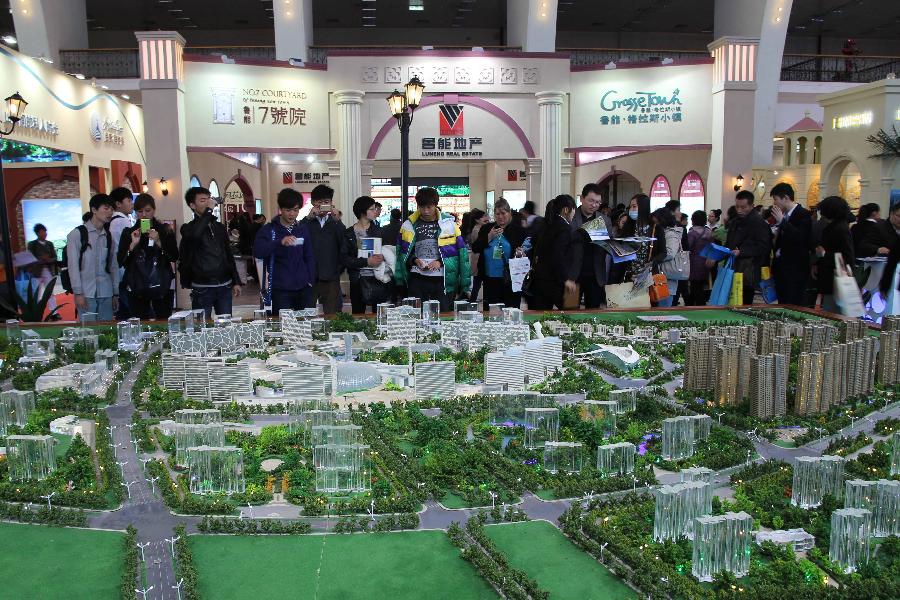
(349,146)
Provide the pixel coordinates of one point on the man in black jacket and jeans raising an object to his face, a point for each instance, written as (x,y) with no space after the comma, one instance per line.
(207,264)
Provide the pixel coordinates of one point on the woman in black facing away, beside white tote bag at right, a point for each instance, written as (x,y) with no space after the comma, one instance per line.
(835,240)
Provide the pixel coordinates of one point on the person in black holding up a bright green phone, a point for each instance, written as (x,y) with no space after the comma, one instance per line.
(146,253)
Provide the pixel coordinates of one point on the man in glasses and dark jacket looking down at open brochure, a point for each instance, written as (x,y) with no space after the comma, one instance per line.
(589,259)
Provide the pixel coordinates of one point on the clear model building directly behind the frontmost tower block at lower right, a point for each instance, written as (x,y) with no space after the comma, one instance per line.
(677,506)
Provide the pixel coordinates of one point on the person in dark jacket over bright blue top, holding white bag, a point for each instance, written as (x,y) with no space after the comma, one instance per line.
(497,242)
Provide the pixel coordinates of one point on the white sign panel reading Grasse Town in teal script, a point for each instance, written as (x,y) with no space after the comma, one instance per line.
(645,107)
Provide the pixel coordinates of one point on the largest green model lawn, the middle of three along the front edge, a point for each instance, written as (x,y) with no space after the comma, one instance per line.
(413,565)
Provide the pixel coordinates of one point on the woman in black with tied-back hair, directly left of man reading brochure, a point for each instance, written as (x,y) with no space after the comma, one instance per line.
(552,256)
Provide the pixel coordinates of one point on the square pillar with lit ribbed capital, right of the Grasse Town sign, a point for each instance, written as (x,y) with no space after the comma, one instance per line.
(734,88)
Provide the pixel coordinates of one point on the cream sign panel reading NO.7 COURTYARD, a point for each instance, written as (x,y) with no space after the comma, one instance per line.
(247,106)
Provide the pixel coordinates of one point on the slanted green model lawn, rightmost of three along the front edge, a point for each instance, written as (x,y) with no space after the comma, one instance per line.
(543,552)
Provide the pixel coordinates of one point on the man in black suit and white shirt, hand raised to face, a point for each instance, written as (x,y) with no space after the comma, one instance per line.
(792,240)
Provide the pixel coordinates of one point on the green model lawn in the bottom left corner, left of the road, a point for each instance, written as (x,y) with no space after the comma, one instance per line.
(57,562)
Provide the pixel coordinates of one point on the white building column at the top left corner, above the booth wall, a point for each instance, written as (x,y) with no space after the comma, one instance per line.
(44,27)
